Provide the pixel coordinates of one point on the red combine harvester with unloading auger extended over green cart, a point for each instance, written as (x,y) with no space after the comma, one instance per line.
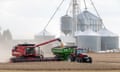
(28,53)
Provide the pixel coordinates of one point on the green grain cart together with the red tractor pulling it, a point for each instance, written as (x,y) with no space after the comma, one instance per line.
(71,54)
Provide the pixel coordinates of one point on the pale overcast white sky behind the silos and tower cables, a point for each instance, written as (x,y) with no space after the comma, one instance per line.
(26,18)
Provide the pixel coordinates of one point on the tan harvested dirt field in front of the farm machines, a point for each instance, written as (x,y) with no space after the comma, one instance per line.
(101,62)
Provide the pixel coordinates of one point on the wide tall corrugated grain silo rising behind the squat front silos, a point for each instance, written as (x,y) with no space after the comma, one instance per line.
(87,19)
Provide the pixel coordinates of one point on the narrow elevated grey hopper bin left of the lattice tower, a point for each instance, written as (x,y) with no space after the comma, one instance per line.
(66,24)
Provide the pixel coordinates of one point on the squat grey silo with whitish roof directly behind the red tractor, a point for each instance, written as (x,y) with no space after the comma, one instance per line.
(88,39)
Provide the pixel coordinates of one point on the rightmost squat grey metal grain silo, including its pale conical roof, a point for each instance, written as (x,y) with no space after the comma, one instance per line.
(109,40)
